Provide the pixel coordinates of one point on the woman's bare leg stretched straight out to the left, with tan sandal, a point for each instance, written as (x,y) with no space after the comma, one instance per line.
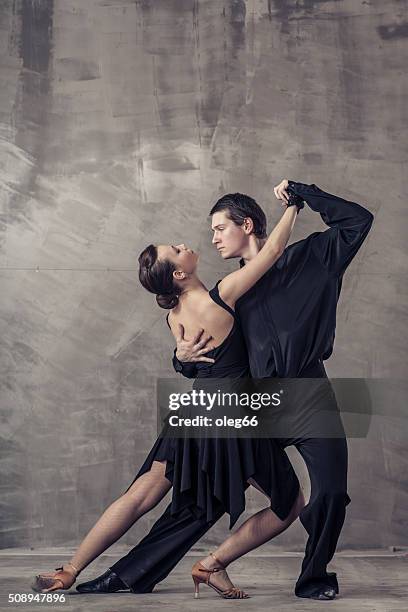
(142,496)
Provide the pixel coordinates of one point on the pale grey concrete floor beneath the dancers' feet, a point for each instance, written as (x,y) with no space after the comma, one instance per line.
(370,581)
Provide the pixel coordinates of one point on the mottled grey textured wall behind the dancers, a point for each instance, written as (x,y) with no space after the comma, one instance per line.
(121,122)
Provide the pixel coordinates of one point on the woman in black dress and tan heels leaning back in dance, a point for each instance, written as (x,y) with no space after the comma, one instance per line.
(170,273)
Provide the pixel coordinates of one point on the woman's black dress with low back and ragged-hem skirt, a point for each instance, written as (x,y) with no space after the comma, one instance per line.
(206,472)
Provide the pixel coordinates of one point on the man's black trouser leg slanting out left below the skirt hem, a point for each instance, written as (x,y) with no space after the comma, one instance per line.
(159,552)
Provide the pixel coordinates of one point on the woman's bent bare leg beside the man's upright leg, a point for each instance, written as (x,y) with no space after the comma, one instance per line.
(258,529)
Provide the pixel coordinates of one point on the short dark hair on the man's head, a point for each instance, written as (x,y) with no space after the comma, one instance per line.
(240,206)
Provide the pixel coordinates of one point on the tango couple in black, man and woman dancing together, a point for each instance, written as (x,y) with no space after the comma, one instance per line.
(273,317)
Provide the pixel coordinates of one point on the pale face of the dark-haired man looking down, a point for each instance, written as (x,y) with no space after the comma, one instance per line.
(229,239)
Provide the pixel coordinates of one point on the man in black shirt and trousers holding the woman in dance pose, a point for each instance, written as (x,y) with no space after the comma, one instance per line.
(288,320)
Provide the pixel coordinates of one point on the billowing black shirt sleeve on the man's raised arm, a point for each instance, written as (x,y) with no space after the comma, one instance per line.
(349,224)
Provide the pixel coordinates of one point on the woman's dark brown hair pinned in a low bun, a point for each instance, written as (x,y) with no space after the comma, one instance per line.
(157,277)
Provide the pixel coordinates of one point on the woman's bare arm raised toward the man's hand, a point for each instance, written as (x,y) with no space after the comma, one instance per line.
(237,283)
